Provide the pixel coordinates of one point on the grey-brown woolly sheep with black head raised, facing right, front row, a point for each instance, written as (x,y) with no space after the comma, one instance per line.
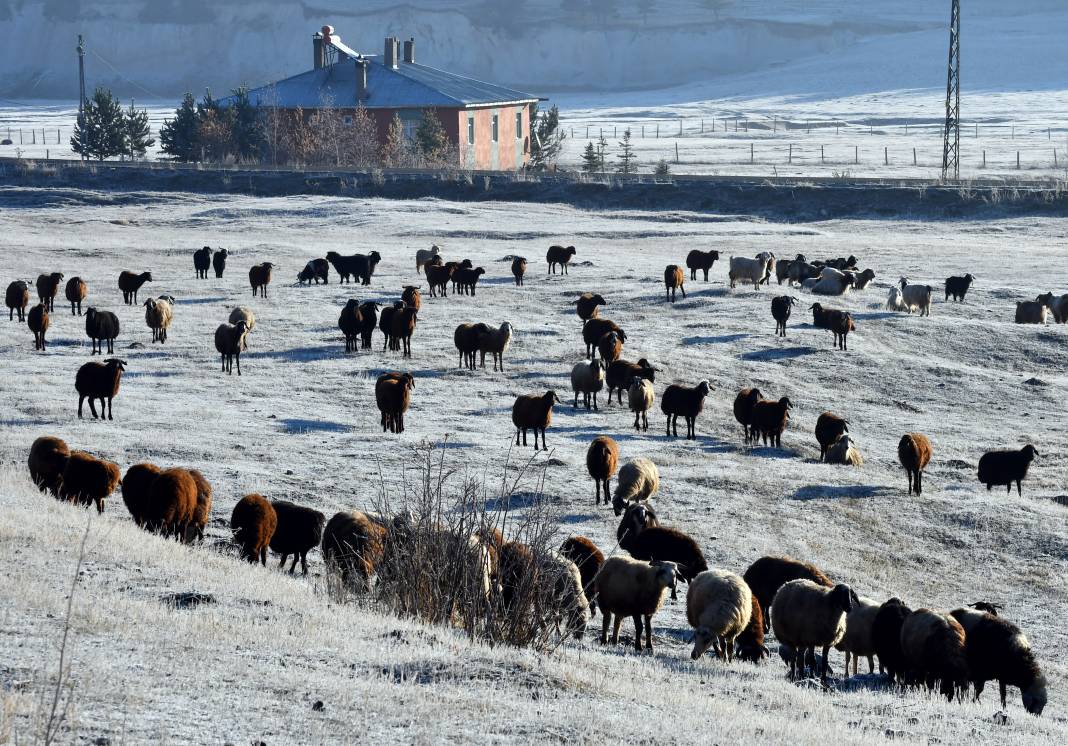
(806,615)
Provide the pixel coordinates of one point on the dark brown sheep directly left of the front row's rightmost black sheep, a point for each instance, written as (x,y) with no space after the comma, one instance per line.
(933,645)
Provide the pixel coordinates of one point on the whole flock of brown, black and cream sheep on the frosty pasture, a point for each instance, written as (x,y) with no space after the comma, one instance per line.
(730,613)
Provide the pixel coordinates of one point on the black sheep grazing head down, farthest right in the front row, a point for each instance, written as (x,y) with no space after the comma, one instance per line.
(995,648)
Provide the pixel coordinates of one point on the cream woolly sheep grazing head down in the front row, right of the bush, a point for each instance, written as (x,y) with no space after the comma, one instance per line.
(718,607)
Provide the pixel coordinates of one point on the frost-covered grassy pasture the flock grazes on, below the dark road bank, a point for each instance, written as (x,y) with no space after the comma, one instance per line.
(302,424)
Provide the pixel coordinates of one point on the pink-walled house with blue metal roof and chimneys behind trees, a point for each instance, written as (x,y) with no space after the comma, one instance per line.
(490,124)
